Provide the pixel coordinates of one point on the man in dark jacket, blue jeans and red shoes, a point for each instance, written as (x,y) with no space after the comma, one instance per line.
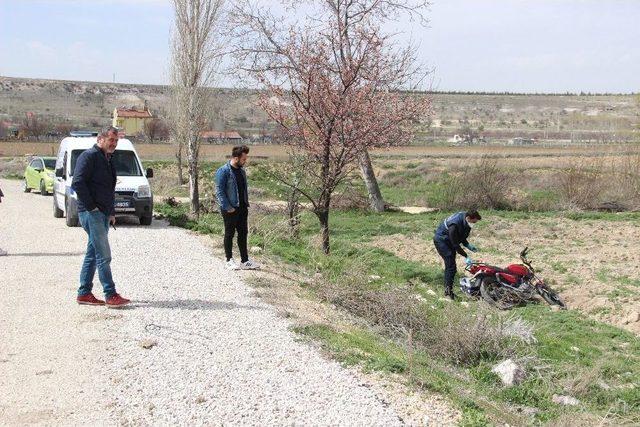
(94,181)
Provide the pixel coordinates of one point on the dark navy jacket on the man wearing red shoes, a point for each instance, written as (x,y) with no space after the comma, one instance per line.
(94,181)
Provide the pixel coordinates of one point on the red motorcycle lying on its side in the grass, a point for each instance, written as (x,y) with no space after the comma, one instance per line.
(505,288)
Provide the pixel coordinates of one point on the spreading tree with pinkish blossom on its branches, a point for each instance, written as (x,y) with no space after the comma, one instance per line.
(329,109)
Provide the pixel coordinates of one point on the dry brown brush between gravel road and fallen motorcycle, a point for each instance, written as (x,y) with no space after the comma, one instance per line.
(460,336)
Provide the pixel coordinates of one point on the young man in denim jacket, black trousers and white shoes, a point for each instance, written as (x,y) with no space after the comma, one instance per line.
(232,192)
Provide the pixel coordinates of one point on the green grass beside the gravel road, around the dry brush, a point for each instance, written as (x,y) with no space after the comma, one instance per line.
(607,353)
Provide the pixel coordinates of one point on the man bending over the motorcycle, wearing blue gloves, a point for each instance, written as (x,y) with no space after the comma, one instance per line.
(450,236)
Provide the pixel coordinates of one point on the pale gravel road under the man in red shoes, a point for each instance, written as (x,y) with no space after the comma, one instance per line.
(217,355)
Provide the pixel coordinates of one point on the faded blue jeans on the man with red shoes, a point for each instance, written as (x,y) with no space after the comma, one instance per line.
(96,224)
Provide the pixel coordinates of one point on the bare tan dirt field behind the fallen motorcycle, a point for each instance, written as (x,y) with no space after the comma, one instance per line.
(595,264)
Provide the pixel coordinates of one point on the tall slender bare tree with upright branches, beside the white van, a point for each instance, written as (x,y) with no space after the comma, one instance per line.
(195,53)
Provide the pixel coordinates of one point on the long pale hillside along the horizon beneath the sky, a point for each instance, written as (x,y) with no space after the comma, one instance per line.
(549,116)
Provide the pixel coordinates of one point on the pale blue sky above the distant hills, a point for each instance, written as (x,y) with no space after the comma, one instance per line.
(485,45)
